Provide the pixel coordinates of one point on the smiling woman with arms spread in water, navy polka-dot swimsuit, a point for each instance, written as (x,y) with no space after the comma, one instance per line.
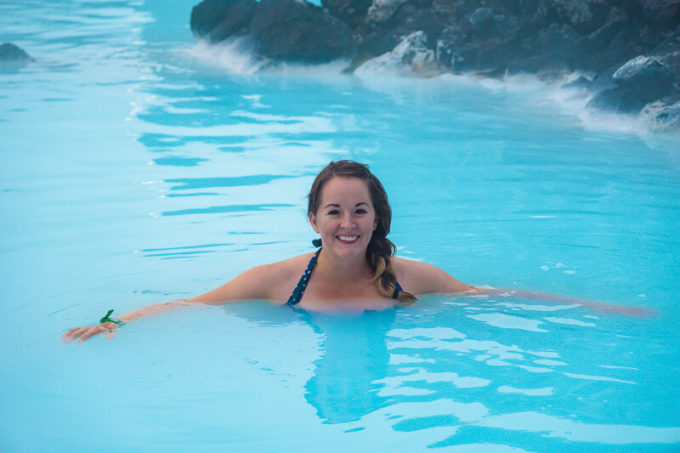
(354,267)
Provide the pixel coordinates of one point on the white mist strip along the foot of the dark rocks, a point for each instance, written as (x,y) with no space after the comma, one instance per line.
(237,57)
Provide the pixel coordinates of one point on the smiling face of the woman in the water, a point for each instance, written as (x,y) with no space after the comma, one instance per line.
(346,217)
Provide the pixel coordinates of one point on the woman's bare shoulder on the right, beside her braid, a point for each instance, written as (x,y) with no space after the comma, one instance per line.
(422,278)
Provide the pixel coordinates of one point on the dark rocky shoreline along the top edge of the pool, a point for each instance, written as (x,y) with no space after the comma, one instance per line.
(627,52)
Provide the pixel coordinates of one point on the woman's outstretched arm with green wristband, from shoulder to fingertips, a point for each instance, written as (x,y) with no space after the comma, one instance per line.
(252,284)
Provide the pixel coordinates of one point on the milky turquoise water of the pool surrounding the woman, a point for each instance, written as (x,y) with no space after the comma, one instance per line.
(135,171)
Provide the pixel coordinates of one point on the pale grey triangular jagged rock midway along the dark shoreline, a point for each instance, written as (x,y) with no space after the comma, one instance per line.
(410,56)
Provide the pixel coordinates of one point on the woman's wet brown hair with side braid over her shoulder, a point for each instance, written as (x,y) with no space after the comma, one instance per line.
(380,249)
